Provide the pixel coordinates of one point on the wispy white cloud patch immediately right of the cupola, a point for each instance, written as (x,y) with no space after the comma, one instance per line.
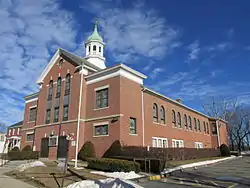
(134,32)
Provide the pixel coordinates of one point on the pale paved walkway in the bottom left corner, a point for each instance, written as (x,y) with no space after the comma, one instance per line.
(6,181)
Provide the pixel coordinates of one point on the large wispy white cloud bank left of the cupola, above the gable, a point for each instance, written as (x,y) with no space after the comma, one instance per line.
(28,31)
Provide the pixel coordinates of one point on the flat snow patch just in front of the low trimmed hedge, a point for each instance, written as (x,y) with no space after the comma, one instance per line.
(121,175)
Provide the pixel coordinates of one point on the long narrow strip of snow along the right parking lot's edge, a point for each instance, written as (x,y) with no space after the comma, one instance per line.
(202,163)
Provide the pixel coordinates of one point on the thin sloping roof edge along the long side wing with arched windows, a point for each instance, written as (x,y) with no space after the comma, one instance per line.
(180,104)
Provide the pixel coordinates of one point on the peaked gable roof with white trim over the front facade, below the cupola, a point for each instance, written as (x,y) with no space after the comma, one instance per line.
(72,57)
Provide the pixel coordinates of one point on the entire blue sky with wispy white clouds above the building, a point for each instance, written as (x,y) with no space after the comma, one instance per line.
(193,50)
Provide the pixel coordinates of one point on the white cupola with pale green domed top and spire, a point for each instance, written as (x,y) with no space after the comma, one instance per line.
(94,49)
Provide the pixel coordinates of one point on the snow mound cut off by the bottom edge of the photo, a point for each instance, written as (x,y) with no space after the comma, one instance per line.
(109,182)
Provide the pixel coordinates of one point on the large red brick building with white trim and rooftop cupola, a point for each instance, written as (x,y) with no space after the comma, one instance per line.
(81,97)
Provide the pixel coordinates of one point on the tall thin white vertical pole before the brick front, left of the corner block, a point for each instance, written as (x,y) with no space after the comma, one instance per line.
(79,116)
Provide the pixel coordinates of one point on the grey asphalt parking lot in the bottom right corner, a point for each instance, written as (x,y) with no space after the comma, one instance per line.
(232,174)
